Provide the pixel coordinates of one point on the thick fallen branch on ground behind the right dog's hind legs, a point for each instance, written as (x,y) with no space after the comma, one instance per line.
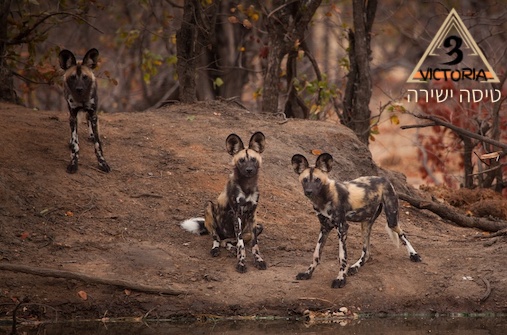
(448,213)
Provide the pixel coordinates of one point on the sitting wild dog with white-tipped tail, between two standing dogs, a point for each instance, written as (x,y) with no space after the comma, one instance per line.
(231,220)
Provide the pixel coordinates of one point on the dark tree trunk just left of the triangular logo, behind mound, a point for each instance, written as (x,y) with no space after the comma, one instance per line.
(356,111)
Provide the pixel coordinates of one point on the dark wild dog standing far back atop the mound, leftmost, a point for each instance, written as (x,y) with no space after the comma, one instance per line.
(80,89)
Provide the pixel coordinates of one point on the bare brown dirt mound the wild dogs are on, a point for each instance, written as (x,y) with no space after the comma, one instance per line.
(167,164)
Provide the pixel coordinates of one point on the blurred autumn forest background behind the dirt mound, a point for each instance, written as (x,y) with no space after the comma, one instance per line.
(304,52)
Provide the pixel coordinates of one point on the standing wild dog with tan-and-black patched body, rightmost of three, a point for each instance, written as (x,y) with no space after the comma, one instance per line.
(359,200)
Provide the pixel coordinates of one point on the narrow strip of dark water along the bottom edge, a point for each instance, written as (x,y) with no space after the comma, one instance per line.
(380,326)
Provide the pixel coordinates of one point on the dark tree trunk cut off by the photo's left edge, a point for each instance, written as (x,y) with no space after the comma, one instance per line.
(7,92)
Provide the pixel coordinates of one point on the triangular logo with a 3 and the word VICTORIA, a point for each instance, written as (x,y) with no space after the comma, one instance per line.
(453,55)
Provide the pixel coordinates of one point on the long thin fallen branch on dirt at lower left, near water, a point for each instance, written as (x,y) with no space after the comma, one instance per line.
(46,272)
